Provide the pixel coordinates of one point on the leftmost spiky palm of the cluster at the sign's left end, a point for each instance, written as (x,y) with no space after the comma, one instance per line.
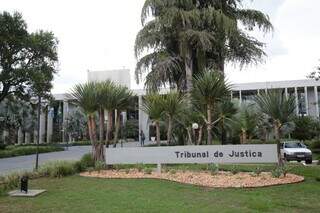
(85,96)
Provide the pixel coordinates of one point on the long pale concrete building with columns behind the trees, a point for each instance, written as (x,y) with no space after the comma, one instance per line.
(306,93)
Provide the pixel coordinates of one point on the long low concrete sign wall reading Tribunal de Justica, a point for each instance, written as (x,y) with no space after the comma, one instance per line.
(266,153)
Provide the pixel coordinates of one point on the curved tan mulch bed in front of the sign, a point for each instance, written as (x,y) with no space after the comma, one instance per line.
(201,178)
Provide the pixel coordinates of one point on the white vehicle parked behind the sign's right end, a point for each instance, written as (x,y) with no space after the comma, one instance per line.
(295,150)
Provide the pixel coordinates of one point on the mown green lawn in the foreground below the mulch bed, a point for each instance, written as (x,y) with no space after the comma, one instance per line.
(80,194)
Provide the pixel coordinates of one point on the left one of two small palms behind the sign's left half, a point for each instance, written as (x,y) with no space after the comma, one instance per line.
(152,105)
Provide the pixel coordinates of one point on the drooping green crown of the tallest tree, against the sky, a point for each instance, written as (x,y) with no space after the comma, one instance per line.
(186,36)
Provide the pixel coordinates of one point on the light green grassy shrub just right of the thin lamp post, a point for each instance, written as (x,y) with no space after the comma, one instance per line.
(58,169)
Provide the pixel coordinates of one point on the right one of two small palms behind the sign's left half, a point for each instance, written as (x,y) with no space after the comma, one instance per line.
(173,104)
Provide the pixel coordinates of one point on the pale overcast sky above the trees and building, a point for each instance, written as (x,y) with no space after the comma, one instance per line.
(100,34)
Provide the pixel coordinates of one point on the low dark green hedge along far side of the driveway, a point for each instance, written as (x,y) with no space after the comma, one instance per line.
(12,151)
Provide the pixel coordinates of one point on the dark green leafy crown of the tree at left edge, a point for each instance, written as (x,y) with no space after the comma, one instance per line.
(27,60)
